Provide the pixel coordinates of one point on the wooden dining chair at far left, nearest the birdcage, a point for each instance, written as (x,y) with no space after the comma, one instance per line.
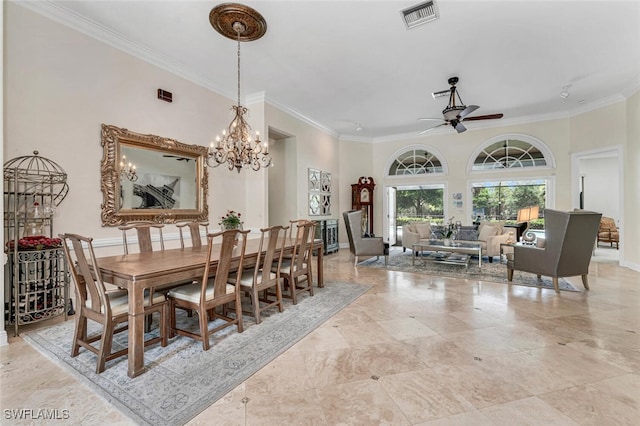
(110,309)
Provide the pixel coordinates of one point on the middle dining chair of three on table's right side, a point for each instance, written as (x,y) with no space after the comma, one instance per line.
(260,277)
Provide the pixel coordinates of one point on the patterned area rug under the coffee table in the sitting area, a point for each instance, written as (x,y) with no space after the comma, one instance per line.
(493,272)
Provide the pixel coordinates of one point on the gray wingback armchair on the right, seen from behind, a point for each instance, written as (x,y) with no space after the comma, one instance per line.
(569,240)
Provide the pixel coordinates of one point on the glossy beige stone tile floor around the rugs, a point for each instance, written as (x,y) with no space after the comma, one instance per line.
(417,350)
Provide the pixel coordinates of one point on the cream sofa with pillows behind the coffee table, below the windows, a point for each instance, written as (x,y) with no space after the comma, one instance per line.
(489,234)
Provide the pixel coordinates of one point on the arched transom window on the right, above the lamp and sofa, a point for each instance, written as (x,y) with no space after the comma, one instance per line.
(508,154)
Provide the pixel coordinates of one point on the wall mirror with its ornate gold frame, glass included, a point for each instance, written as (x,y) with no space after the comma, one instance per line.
(169,184)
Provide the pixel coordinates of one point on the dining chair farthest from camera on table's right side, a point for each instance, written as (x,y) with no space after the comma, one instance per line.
(296,269)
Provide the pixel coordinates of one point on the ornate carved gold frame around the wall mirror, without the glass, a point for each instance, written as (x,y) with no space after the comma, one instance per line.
(112,140)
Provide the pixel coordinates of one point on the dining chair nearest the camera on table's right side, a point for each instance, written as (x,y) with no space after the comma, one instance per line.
(213,289)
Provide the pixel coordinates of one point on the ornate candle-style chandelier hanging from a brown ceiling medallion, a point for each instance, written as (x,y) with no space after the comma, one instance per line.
(237,148)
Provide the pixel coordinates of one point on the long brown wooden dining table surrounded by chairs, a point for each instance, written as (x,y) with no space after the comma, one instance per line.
(156,270)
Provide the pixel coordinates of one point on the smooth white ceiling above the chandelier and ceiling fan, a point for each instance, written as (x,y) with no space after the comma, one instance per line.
(338,63)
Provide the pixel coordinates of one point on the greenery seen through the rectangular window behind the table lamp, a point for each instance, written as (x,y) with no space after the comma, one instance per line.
(501,200)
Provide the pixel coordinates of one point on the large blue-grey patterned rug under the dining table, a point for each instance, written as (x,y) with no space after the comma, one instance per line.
(181,379)
